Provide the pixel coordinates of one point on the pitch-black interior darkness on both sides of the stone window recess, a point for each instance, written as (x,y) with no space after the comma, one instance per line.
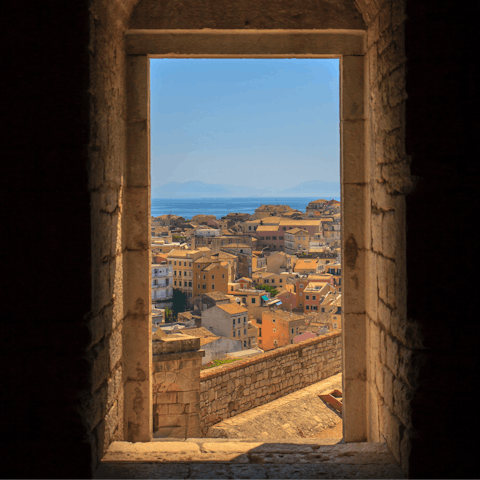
(46,241)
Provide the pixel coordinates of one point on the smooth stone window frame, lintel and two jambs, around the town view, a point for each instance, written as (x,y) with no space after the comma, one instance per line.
(349,46)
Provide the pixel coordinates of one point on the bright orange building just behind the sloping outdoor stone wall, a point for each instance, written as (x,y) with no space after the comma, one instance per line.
(278,328)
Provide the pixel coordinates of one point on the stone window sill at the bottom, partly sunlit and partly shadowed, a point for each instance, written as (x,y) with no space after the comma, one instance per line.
(211,457)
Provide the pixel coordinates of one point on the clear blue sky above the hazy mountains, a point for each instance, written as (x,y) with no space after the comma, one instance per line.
(254,122)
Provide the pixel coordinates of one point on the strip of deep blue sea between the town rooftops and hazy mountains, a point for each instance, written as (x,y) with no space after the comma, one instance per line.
(222,206)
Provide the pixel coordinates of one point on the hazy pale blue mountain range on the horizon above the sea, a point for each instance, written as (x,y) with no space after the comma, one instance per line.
(195,189)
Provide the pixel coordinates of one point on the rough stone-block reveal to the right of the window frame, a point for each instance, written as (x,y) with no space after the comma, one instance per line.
(390,337)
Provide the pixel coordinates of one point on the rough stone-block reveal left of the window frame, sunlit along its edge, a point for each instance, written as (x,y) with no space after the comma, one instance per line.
(104,402)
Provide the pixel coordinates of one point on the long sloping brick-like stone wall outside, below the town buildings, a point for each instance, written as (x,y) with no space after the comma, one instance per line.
(228,390)
